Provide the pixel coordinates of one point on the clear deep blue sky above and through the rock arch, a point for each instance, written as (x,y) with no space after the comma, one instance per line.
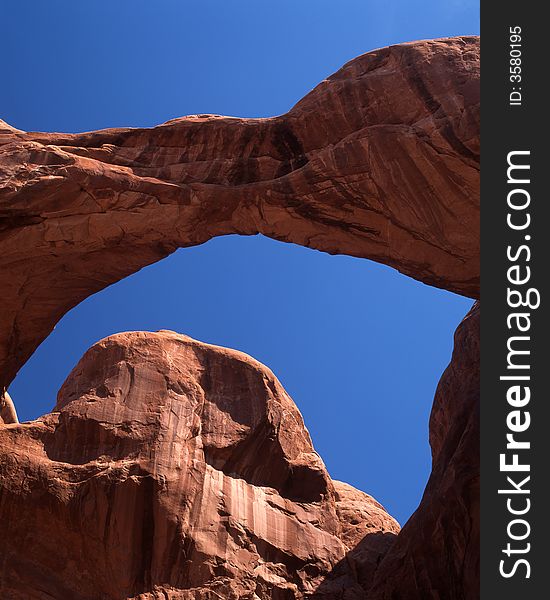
(359,347)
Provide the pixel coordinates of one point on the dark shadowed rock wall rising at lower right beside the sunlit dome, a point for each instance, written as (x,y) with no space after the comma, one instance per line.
(436,555)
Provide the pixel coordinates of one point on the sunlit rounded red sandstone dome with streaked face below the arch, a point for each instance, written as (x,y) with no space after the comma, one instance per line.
(175,469)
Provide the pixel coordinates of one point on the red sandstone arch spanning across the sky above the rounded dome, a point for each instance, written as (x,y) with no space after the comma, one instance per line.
(378,161)
